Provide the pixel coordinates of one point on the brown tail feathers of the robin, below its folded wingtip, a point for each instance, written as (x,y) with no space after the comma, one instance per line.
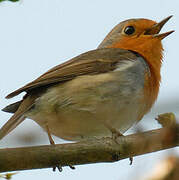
(18,116)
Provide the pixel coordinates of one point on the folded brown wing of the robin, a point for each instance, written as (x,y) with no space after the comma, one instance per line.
(92,62)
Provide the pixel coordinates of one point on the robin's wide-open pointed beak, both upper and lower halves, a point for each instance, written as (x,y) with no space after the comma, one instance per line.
(156,28)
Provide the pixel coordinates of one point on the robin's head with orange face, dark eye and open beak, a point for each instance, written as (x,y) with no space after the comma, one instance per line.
(138,35)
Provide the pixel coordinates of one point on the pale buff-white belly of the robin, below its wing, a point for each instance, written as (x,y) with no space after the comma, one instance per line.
(80,108)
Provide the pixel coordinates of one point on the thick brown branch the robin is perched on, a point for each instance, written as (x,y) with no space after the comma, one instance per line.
(85,152)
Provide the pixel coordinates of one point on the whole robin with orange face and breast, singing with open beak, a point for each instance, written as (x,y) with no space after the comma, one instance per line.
(98,92)
